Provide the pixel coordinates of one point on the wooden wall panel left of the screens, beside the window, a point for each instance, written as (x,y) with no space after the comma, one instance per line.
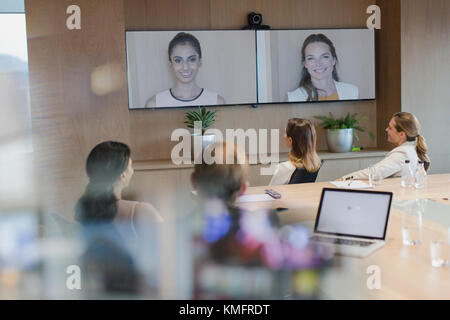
(70,113)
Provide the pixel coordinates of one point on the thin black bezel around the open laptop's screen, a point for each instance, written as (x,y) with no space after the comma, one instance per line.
(390,194)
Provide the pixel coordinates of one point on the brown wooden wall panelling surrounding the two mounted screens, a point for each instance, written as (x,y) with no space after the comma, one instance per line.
(78,78)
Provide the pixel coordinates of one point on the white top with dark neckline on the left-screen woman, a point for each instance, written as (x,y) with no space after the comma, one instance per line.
(167,99)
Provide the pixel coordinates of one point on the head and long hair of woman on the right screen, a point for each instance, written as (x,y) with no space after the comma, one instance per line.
(319,61)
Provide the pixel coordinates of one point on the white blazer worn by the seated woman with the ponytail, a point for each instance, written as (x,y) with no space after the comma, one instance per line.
(392,164)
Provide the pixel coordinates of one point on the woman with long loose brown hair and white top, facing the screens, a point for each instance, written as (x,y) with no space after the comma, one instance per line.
(300,137)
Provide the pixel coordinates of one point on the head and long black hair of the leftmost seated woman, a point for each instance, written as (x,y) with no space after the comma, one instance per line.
(108,167)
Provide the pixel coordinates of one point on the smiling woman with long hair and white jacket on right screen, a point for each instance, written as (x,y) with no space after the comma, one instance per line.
(319,78)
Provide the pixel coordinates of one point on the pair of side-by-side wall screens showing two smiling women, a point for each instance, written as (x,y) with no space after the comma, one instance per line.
(231,67)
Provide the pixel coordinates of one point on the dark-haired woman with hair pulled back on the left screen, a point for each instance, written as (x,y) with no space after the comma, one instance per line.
(185,58)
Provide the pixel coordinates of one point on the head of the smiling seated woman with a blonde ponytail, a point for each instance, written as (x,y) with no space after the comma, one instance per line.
(403,127)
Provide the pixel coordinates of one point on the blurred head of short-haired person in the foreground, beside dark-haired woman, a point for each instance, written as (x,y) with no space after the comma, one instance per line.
(224,181)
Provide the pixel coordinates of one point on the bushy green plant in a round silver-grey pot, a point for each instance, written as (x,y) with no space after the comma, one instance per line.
(341,131)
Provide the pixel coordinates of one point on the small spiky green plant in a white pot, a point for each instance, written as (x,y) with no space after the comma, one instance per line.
(207,118)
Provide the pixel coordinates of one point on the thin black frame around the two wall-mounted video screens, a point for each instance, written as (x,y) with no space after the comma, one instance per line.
(257,103)
